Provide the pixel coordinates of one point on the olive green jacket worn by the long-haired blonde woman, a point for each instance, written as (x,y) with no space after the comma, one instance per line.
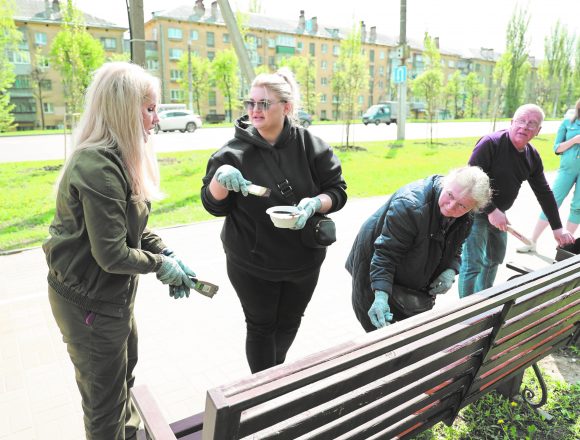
(98,239)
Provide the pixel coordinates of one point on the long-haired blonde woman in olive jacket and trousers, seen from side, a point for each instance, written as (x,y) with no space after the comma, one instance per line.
(99,244)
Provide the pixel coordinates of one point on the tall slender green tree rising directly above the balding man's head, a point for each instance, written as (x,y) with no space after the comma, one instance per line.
(518,47)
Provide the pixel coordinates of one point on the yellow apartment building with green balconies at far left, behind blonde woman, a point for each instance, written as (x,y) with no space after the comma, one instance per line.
(39,21)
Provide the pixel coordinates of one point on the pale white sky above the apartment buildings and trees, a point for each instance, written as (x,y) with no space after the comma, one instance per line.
(459,24)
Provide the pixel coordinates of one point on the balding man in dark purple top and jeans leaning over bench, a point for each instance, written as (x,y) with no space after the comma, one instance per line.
(508,159)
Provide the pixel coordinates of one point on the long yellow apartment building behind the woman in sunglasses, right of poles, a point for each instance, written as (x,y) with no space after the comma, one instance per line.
(174,32)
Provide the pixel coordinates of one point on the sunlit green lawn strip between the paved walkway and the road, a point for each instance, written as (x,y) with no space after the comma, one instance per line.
(27,197)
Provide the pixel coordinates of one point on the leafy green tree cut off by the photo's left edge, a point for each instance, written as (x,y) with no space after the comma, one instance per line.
(9,39)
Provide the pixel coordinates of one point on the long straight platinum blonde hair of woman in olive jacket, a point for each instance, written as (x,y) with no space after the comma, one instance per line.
(113,118)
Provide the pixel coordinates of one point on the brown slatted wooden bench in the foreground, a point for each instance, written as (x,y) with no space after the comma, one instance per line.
(398,381)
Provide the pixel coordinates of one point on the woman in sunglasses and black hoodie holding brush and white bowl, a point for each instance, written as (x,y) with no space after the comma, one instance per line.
(272,272)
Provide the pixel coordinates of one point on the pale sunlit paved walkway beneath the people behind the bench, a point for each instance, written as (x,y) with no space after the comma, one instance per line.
(186,346)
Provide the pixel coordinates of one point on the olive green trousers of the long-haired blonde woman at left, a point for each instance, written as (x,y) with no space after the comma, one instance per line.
(103,351)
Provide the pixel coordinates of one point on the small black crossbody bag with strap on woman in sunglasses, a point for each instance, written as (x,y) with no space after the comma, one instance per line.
(319,230)
